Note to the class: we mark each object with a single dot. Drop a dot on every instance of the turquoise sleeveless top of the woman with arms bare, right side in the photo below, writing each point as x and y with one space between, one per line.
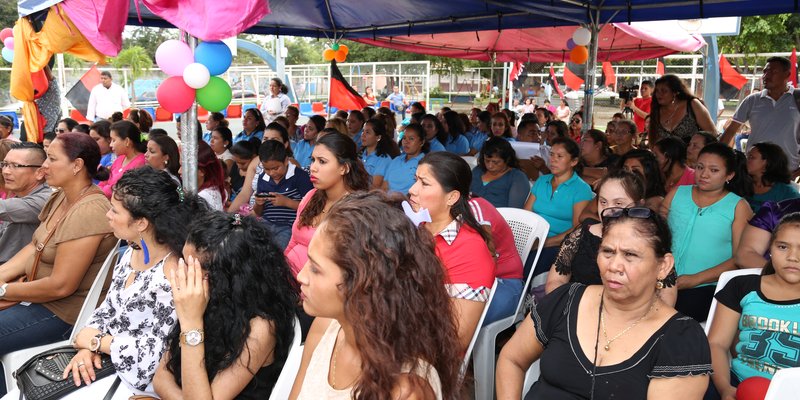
701 237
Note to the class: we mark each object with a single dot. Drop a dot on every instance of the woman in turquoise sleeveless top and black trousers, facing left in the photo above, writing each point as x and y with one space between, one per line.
707 220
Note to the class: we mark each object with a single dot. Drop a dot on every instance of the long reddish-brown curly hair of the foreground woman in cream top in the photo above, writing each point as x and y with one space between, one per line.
387 254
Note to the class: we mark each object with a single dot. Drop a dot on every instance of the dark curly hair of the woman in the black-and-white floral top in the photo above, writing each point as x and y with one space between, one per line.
153 195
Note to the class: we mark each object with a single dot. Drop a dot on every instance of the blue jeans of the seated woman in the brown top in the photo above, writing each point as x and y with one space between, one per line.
22 327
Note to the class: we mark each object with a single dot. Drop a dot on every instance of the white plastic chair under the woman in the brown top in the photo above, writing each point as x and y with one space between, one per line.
14 360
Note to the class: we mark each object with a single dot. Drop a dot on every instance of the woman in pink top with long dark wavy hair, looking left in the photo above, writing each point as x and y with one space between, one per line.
335 172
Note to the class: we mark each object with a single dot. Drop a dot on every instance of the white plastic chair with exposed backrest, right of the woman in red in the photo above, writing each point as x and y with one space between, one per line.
527 228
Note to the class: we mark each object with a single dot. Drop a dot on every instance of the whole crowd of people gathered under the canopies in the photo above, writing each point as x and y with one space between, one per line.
384 243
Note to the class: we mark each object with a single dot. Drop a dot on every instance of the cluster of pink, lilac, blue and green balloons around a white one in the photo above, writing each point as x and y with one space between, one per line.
193 76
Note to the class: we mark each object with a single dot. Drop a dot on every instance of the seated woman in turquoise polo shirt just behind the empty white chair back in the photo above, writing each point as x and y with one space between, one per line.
559 198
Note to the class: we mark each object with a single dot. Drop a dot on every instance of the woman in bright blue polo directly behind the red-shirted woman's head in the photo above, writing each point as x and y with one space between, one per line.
400 172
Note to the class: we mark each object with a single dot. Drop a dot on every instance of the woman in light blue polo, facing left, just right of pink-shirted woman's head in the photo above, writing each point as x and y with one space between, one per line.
377 150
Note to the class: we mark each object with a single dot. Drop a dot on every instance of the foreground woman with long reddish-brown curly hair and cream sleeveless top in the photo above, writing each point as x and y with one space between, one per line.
407 348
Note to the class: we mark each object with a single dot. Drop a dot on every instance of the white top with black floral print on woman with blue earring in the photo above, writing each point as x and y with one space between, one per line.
139 318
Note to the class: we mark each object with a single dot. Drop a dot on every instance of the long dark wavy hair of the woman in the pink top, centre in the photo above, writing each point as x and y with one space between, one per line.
356 178
